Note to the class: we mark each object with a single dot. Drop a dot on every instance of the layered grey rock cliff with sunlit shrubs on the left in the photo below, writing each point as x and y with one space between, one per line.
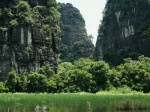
29 35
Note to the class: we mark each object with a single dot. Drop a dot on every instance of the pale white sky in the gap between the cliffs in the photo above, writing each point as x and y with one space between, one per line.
91 11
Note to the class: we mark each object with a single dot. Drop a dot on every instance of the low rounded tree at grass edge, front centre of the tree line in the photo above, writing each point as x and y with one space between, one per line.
81 80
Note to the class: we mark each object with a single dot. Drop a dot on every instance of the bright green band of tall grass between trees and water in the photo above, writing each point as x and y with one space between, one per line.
93 102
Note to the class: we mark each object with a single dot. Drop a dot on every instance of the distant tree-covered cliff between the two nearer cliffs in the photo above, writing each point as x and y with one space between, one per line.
75 43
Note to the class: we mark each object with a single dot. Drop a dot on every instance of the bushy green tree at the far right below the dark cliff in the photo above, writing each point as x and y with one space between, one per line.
136 74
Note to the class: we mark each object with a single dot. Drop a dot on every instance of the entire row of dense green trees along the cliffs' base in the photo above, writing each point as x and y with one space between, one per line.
83 75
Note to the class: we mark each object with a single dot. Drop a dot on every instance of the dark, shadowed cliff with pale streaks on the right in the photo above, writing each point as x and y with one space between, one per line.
124 31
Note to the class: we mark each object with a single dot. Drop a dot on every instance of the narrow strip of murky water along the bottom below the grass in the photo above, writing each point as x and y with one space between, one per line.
63 109
